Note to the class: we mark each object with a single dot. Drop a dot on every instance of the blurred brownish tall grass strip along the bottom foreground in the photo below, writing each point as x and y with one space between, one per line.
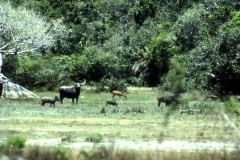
113 152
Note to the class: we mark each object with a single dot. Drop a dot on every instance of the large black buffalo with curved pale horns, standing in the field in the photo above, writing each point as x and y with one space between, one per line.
71 91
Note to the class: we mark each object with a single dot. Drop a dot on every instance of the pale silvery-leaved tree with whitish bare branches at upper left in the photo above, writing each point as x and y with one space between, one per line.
23 31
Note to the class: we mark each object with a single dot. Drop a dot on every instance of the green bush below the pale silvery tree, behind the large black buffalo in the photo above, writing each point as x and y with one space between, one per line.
39 72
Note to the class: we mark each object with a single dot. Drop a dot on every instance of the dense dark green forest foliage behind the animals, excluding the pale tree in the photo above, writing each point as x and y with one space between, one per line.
133 42
